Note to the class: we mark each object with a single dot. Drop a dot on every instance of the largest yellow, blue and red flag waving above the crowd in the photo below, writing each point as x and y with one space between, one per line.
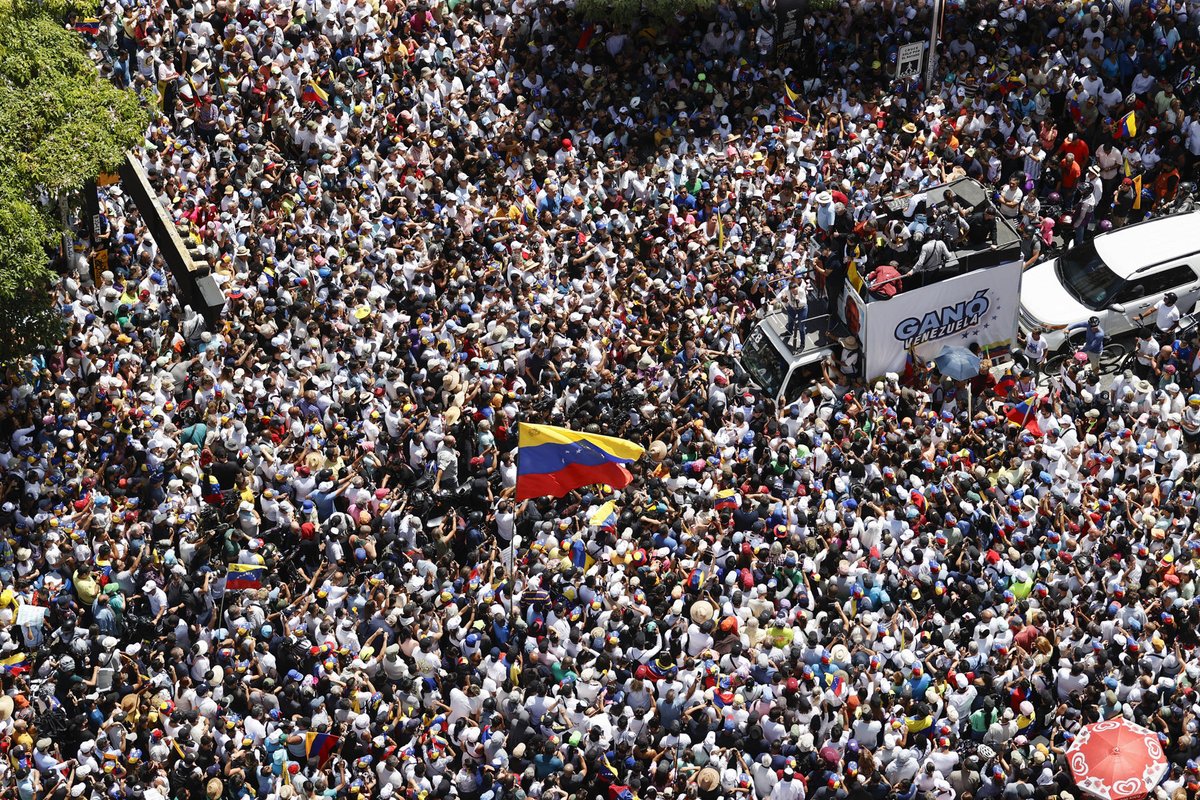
555 461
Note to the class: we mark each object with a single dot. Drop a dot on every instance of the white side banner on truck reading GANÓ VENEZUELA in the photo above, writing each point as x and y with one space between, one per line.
977 308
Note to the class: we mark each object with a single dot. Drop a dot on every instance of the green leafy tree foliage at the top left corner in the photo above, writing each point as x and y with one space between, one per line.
61 127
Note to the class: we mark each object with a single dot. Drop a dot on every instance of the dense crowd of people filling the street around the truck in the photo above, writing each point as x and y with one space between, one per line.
280 556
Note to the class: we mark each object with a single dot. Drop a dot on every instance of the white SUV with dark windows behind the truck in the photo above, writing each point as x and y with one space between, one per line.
1117 276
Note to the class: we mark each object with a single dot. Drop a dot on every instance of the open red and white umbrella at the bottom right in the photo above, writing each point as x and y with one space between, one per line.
1117 760
